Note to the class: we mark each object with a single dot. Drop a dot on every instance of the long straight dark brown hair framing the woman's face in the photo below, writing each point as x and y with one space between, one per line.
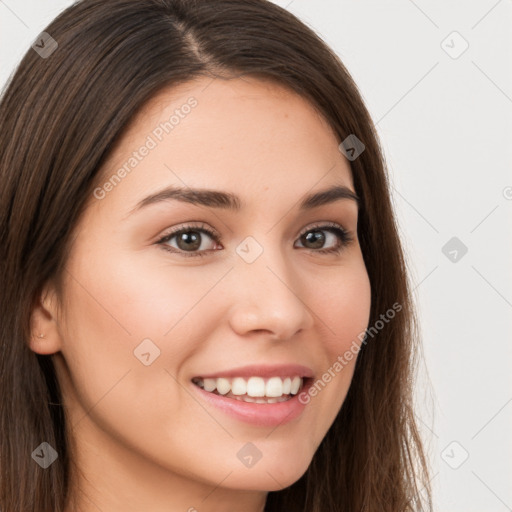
60 117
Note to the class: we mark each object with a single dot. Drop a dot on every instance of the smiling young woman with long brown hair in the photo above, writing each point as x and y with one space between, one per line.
205 303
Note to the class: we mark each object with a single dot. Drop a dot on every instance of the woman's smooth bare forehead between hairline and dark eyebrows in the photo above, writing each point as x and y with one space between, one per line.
242 134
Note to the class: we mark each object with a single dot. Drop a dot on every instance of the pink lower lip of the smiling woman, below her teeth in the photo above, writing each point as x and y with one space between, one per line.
263 415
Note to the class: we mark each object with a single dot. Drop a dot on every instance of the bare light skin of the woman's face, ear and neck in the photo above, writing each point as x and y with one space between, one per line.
142 441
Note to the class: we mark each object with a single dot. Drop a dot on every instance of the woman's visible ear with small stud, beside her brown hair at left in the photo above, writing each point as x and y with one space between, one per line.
44 333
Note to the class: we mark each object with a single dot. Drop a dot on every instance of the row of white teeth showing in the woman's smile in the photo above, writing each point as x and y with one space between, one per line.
254 388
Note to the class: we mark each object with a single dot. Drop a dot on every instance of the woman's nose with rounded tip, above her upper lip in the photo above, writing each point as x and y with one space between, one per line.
269 298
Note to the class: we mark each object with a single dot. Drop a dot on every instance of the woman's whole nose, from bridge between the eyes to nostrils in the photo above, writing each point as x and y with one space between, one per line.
267 296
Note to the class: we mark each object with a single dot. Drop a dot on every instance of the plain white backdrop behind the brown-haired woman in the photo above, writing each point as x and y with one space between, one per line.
445 125
